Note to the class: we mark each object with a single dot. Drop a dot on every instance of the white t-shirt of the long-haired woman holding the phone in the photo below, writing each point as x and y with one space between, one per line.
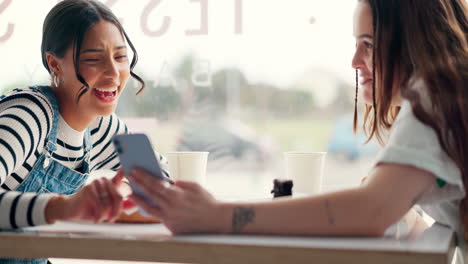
415 144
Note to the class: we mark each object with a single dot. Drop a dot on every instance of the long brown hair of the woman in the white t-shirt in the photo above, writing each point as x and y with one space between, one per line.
426 39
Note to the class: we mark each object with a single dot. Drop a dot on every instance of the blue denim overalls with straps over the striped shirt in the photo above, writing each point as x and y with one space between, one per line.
49 176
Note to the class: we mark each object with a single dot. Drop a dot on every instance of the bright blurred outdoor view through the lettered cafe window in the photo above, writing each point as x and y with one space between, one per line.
245 80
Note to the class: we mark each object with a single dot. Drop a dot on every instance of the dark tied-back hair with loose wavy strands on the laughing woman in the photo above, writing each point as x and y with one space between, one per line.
66 25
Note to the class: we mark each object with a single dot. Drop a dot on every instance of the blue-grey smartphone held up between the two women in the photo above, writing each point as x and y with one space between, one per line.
135 151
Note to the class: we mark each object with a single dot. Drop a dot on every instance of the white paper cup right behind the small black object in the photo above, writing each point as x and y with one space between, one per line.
305 169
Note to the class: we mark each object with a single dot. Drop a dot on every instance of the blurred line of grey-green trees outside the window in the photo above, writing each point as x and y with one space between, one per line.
230 93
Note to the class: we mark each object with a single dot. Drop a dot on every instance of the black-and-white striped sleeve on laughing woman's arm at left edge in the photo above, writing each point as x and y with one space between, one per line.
25 120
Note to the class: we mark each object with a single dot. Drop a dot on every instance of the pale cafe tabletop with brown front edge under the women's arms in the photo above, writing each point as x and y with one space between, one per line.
155 243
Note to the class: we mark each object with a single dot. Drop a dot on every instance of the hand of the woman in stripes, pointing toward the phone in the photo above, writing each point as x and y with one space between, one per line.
96 202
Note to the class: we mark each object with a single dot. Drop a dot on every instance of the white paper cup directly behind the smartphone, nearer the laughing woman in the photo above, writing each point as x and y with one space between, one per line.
188 166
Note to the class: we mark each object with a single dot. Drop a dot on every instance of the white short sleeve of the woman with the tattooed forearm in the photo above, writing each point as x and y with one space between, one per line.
415 144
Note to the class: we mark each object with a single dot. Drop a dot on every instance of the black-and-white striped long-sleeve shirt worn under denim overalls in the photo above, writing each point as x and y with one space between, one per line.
26 118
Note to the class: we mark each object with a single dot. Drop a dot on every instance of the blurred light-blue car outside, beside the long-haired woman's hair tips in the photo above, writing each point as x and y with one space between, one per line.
345 143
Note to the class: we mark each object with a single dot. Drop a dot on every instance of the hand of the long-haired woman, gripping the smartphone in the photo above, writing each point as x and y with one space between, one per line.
184 207
